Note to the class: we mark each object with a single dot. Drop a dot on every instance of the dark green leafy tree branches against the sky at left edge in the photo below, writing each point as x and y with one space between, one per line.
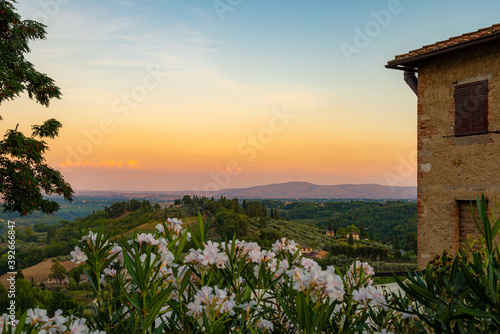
25 175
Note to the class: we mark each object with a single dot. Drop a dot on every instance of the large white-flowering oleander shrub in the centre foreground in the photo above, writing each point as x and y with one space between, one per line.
224 287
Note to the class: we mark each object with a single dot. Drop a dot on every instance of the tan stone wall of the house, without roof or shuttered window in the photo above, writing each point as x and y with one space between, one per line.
454 168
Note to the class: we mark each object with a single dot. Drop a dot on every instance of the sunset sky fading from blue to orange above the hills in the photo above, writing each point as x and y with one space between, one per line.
174 95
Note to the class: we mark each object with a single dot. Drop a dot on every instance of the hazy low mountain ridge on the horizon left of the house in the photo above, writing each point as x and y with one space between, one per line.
310 190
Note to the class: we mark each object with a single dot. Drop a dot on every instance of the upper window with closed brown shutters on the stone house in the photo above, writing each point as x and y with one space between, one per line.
471 108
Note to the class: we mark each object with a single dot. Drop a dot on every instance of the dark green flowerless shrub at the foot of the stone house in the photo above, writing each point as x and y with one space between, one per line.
459 293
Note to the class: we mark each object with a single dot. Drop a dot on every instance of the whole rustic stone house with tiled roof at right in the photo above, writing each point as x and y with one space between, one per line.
458 89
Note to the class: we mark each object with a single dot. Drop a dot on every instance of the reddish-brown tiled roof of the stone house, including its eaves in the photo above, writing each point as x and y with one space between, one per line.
466 40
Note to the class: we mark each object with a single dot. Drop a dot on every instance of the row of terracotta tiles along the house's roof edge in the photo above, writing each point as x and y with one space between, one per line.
449 43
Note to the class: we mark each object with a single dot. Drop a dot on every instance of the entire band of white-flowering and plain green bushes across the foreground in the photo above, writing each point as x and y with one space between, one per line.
148 285
